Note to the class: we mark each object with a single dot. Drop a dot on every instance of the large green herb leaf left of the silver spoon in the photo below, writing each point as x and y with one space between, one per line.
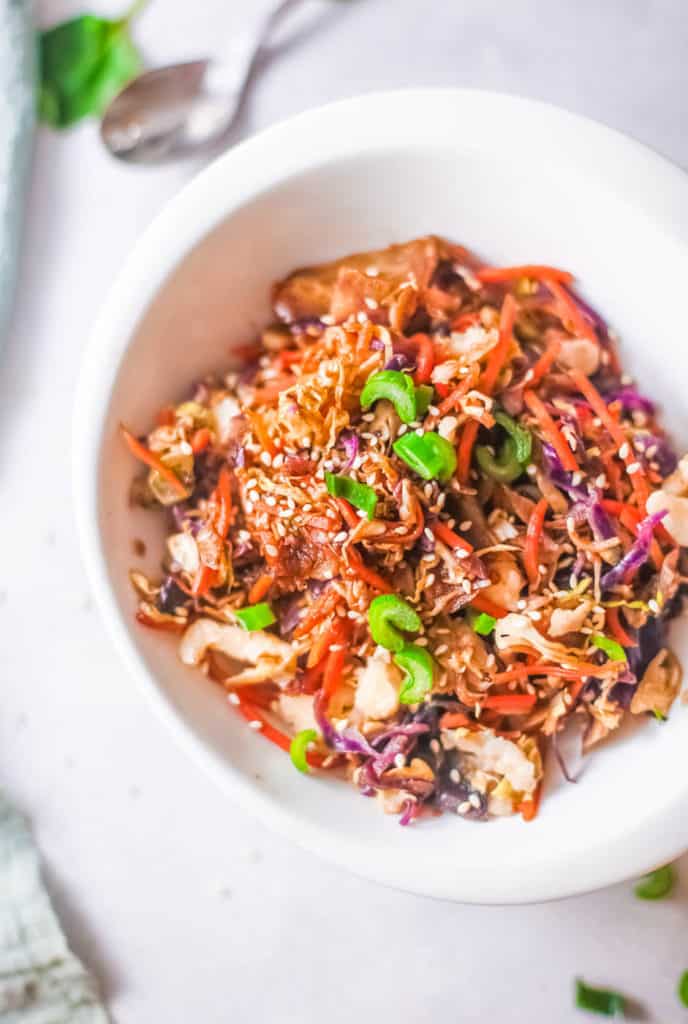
84 64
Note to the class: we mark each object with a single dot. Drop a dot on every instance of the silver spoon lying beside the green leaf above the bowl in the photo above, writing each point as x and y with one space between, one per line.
185 109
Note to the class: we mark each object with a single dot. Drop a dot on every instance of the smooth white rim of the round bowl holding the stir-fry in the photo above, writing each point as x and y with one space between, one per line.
231 181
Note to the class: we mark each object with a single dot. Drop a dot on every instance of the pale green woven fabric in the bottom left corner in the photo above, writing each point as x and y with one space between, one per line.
41 983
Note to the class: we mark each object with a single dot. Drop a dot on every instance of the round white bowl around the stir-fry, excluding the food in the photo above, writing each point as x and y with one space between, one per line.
517 181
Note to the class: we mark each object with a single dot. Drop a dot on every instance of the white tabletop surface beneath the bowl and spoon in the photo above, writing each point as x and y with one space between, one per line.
187 909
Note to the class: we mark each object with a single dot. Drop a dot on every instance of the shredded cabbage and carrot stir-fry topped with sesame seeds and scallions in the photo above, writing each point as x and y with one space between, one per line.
427 529
